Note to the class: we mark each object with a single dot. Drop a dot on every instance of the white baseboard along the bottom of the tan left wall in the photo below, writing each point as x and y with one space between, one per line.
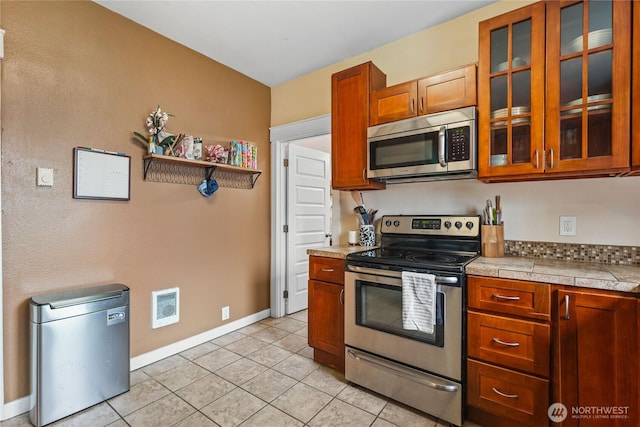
21 405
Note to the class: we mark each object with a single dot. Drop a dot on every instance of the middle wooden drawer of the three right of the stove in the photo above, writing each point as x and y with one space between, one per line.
517 344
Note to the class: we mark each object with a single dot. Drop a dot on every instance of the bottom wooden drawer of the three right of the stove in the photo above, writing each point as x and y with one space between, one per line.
508 394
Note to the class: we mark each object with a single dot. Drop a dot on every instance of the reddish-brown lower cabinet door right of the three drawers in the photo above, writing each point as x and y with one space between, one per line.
595 374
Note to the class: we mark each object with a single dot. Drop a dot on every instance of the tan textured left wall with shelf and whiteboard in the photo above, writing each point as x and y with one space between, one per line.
74 74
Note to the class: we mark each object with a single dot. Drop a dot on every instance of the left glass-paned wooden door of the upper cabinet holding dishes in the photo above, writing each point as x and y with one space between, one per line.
511 93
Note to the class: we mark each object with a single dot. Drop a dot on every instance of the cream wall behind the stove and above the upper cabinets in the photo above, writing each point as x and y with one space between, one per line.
607 210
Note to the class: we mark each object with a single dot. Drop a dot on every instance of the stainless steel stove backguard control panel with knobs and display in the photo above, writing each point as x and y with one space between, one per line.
443 225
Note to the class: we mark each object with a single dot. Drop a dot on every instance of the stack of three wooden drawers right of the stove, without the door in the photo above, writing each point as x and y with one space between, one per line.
508 347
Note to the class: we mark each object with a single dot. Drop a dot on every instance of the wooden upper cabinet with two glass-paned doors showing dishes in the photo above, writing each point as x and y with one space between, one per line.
572 121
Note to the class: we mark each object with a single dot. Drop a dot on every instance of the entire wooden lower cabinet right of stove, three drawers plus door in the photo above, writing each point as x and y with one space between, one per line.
531 346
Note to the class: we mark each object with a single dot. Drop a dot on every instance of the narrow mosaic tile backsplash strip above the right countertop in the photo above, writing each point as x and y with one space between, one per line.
606 254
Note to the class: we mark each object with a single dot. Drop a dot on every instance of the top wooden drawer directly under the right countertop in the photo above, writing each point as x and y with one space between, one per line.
514 297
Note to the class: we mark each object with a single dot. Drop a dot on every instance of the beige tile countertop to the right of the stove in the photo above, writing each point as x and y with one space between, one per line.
624 278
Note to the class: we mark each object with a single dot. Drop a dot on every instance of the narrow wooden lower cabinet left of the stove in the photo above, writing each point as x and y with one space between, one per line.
326 310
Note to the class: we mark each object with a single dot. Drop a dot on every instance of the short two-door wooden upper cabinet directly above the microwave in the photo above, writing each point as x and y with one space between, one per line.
444 91
